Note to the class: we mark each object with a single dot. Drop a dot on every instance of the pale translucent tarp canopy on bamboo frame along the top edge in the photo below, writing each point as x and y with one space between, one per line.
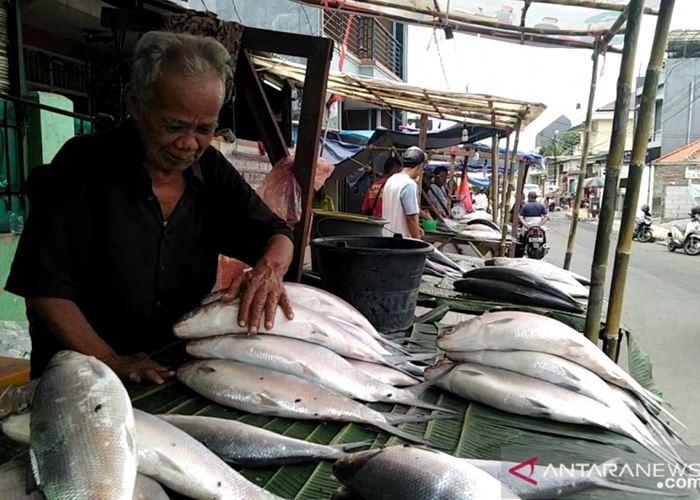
569 23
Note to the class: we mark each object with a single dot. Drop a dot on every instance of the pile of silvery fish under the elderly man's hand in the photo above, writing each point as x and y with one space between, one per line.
302 369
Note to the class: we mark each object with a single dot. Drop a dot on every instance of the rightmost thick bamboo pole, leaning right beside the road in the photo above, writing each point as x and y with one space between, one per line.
634 180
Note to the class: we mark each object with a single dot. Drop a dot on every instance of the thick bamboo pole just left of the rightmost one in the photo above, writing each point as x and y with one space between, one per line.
612 173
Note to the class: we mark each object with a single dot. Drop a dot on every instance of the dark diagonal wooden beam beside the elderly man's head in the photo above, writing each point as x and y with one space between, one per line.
251 92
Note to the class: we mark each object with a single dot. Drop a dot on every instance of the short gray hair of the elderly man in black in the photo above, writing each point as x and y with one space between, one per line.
193 55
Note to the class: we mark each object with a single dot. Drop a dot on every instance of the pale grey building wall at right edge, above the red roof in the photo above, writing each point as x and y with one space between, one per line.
681 103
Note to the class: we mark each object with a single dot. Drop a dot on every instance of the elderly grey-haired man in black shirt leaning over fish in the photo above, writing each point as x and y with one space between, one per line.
127 238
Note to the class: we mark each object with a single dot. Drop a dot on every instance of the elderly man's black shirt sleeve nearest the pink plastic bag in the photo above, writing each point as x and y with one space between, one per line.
247 222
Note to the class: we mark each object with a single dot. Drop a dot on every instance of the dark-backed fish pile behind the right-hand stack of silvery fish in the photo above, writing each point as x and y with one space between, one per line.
516 285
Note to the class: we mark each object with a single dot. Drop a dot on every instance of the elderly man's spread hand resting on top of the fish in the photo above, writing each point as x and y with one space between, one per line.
261 290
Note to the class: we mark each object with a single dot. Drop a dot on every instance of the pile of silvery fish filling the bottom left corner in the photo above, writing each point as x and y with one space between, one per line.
86 441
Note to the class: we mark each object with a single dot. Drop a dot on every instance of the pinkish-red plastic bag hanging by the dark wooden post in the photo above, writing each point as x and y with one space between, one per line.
281 191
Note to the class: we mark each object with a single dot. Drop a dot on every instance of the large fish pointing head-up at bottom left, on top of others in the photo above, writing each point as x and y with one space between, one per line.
82 442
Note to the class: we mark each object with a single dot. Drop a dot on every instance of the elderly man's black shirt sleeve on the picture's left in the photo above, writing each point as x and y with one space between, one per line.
55 238
